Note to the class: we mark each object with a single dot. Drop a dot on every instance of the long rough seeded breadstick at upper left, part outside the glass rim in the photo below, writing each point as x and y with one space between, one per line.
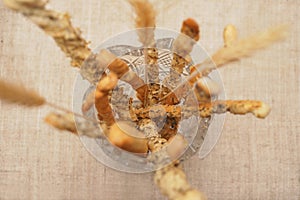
56 24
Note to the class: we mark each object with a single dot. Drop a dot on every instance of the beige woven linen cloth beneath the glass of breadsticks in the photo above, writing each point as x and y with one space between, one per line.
254 159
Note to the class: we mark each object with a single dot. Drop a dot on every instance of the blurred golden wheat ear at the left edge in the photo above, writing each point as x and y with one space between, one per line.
15 93
